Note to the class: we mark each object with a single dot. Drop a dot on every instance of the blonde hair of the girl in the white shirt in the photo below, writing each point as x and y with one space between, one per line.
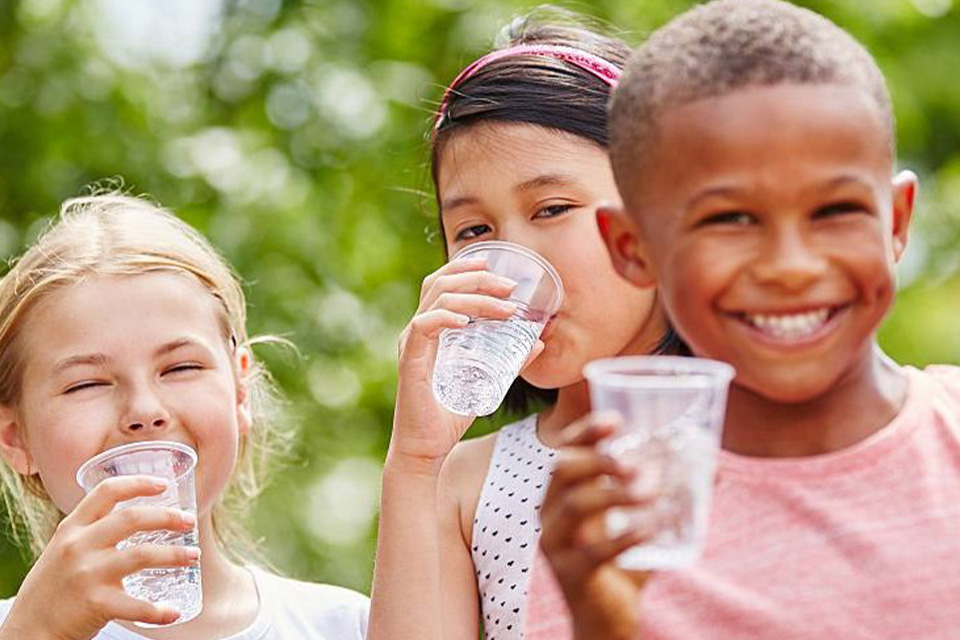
115 234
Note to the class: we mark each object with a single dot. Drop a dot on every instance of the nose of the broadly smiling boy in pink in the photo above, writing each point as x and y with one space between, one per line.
790 261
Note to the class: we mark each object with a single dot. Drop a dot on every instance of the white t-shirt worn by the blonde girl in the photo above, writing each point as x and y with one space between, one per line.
289 610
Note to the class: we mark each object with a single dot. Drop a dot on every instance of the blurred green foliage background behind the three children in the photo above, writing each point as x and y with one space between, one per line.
292 133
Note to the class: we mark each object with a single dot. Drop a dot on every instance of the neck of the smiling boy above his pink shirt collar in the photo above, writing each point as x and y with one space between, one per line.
861 403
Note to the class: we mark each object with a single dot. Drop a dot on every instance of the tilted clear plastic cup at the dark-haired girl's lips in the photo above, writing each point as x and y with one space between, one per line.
476 365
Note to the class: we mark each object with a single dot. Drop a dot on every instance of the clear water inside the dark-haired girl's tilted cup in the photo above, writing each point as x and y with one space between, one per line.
477 364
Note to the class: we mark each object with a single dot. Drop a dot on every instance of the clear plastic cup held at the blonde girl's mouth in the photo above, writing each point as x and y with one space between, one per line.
178 588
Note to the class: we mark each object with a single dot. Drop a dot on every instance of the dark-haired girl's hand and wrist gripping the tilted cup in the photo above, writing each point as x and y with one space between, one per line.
423 431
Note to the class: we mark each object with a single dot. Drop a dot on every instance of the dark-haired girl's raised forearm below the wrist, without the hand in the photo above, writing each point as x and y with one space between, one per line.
406 585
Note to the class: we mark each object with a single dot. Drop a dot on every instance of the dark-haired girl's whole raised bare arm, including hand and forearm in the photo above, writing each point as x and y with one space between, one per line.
407 588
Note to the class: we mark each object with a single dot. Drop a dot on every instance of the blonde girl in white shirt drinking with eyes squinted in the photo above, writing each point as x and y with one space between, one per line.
122 324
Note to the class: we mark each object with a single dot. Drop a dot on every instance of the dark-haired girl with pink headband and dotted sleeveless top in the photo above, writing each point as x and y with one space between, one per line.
519 154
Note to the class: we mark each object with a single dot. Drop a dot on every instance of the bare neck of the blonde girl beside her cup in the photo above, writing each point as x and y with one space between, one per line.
230 600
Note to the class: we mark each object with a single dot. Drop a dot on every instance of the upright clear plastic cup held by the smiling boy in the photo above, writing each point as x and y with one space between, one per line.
673 411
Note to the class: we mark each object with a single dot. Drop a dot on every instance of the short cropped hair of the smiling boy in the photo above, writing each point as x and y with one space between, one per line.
720 47
